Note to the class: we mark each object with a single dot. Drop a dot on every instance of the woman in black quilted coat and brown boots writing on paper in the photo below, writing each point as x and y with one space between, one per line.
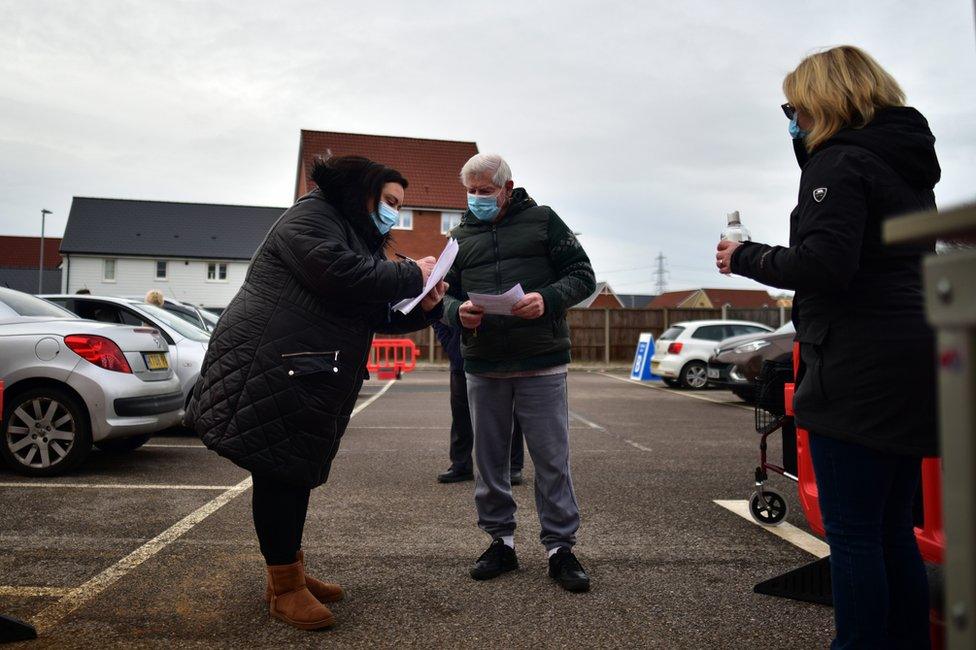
287 359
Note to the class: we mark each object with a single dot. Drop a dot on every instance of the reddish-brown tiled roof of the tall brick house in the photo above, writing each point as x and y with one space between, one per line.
431 167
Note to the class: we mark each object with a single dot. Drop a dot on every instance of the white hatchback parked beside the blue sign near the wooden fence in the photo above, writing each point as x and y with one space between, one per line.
682 351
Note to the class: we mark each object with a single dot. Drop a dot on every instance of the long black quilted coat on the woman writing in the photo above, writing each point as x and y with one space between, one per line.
287 358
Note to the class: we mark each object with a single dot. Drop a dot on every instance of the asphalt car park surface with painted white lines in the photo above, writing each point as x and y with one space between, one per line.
156 548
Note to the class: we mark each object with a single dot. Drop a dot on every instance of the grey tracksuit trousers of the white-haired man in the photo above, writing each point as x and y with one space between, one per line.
542 407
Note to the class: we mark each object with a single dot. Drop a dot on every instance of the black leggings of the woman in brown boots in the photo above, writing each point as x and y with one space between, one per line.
279 518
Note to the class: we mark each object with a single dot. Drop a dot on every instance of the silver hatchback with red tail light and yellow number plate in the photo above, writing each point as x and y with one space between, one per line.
70 383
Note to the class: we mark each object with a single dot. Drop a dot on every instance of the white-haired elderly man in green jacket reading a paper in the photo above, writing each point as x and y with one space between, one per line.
517 363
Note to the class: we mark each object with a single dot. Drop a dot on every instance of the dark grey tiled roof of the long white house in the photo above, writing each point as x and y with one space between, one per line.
166 229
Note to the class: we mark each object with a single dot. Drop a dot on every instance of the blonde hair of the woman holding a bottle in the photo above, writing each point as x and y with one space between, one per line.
840 87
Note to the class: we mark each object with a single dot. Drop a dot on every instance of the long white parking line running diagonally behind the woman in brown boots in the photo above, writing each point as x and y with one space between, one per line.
52 614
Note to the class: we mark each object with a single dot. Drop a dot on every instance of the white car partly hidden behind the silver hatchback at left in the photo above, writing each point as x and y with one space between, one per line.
187 344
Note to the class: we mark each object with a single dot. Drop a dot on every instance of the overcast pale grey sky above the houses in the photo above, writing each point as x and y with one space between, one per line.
640 123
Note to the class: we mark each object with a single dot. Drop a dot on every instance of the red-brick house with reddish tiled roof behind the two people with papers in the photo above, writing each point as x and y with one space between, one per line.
433 203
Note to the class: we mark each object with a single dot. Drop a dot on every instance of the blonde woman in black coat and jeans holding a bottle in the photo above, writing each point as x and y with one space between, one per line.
866 392
